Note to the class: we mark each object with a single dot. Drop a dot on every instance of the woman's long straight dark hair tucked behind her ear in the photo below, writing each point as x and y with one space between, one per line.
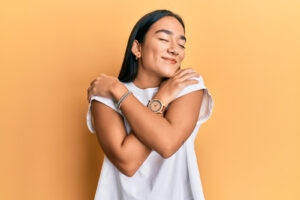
130 64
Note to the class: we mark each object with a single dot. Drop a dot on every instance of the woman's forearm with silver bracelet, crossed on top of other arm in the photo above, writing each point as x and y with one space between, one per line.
151 128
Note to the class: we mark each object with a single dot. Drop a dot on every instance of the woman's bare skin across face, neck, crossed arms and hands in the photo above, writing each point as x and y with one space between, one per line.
163 133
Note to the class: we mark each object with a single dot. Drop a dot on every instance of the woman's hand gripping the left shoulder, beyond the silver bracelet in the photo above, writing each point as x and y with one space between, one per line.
102 86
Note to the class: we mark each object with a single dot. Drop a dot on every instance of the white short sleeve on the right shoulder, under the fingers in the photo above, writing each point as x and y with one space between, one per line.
207 101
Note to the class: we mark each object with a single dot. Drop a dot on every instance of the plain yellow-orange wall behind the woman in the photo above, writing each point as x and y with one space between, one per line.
248 52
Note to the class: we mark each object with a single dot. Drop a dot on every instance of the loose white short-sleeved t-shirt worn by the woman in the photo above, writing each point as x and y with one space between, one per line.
174 178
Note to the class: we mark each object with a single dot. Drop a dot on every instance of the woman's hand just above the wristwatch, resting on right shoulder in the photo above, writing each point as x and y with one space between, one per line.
170 88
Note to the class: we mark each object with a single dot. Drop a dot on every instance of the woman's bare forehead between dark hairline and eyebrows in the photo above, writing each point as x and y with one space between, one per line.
169 23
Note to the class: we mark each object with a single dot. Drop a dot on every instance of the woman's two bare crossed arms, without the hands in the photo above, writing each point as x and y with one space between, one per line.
150 131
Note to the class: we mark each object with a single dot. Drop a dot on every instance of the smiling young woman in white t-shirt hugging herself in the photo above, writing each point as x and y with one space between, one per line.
146 120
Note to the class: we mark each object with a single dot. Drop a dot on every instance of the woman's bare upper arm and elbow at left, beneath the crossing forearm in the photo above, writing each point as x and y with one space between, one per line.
126 152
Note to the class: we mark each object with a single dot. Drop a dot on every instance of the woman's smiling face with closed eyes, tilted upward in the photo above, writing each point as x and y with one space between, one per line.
163 48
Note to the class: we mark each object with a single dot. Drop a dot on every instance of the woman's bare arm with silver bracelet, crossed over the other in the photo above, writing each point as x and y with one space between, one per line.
162 134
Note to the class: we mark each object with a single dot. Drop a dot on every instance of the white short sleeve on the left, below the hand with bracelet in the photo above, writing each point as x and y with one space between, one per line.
107 101
